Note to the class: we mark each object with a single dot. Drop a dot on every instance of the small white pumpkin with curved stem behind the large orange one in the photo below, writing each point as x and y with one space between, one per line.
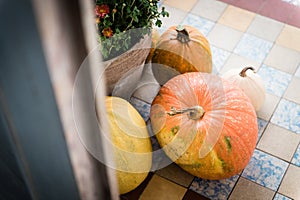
250 82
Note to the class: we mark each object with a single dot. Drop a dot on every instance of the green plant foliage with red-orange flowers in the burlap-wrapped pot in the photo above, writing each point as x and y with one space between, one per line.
115 20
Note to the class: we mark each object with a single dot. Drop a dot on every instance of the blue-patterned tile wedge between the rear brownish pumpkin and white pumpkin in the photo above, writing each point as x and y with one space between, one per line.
219 57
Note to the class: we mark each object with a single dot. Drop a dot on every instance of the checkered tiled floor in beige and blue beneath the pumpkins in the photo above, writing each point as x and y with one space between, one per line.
266 35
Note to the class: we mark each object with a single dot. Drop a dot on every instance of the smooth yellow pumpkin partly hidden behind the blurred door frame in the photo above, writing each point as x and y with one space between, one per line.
131 143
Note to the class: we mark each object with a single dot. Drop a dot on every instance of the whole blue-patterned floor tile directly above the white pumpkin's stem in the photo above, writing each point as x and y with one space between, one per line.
253 48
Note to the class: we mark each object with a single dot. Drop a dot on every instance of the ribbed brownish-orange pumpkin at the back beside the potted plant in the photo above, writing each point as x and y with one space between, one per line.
183 48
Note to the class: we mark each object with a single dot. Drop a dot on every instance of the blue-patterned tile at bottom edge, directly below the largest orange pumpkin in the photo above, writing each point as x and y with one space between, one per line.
215 190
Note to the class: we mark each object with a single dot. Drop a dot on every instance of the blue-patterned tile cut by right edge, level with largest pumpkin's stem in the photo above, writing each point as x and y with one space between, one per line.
287 115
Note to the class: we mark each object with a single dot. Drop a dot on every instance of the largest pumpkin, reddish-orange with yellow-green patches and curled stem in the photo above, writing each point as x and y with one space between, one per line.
205 124
